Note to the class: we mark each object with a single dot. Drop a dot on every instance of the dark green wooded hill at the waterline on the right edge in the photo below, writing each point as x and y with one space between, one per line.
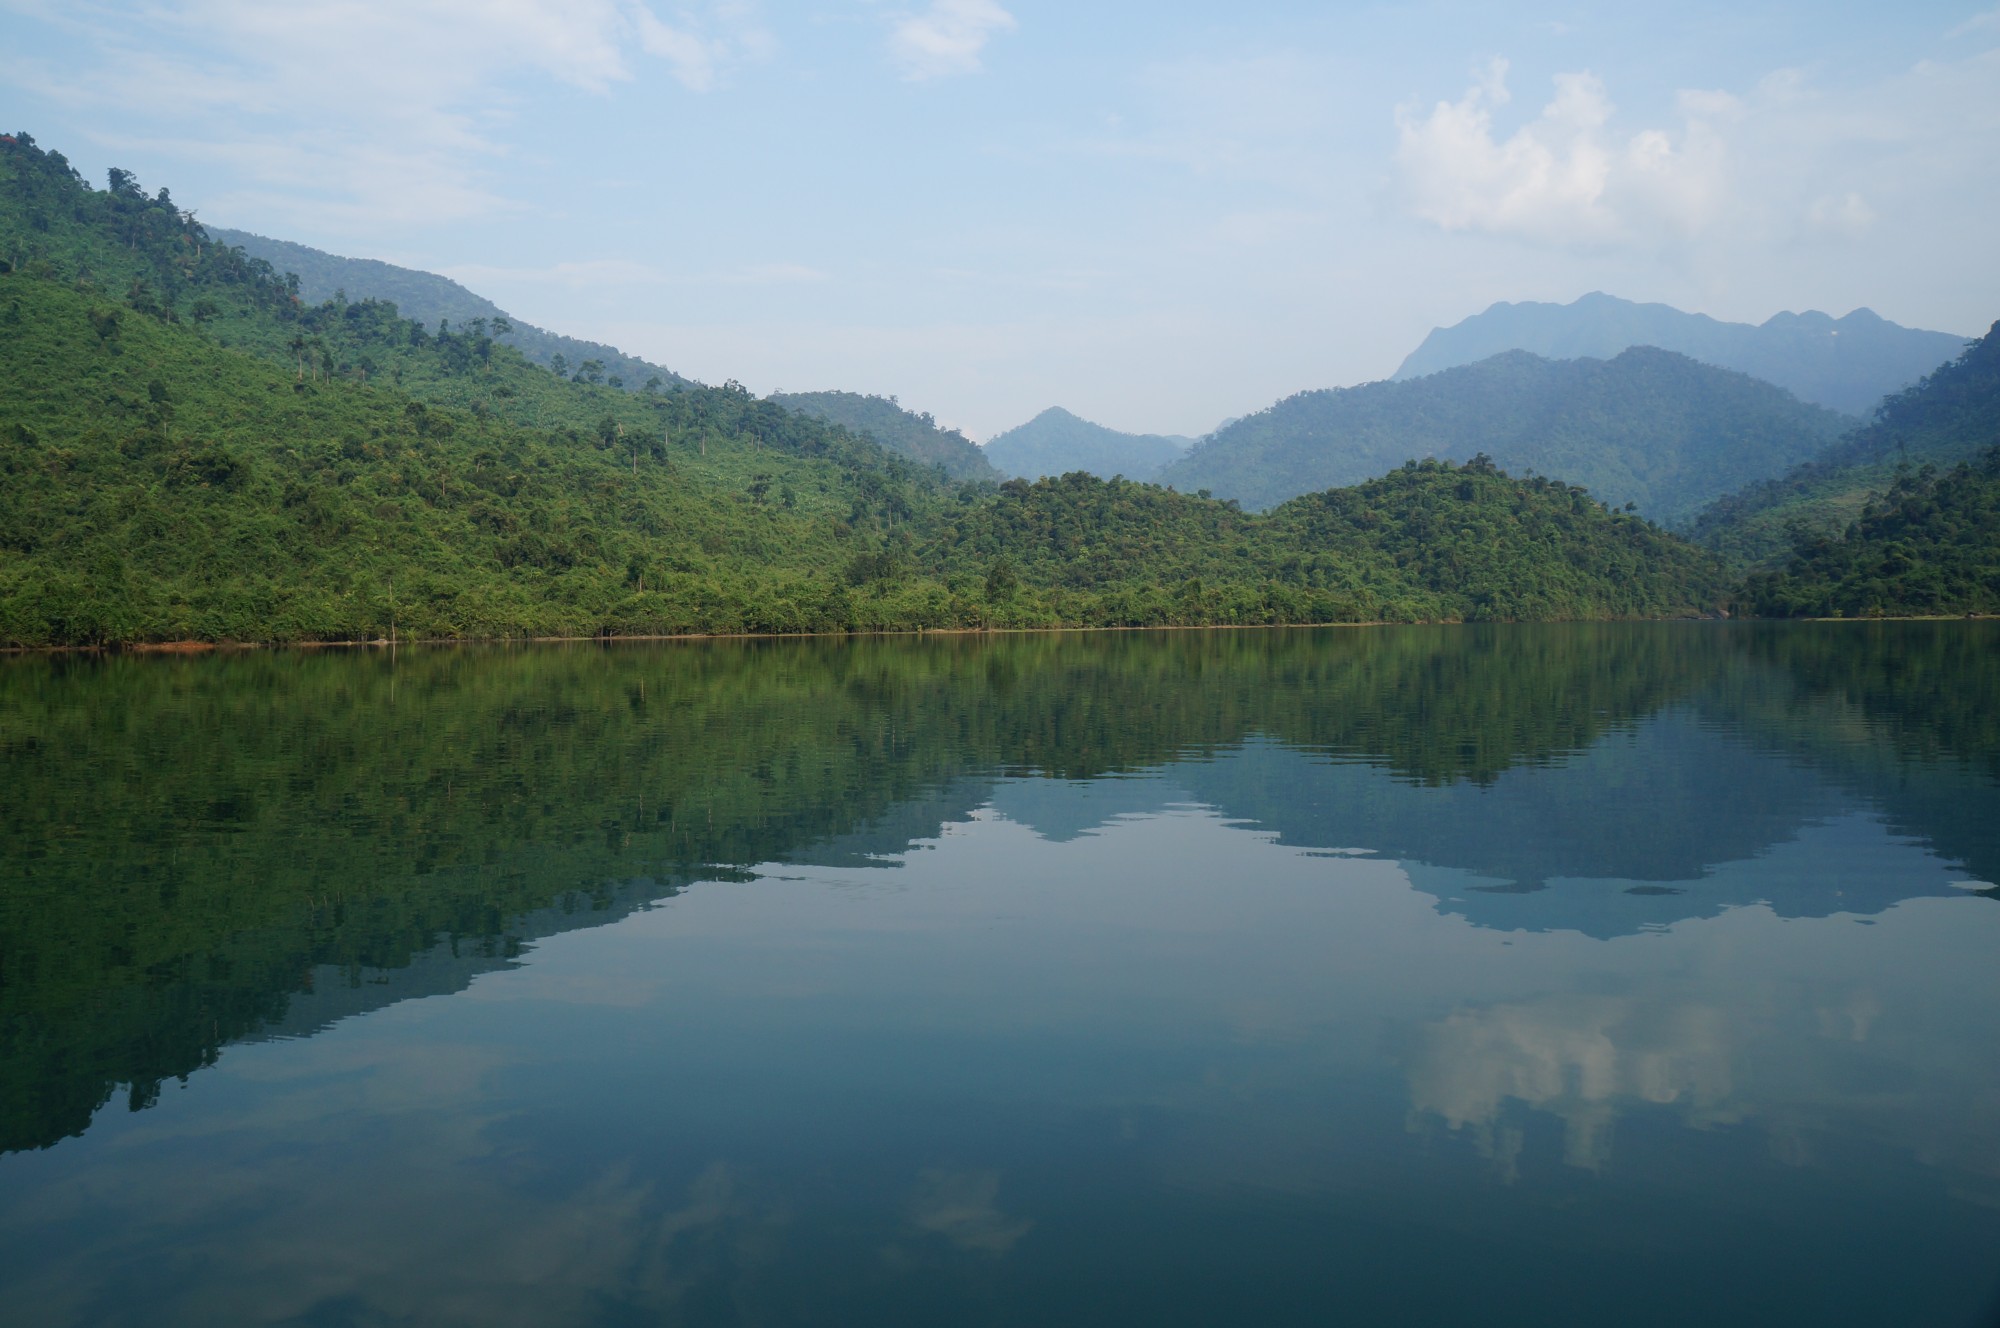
1931 545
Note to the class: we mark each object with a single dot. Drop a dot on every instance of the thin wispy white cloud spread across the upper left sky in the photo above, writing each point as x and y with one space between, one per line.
377 111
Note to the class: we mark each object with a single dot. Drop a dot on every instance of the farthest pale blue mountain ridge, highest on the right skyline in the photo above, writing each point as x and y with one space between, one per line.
1841 363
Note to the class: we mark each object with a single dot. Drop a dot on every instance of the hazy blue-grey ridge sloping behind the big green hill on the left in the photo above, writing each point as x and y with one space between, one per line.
433 299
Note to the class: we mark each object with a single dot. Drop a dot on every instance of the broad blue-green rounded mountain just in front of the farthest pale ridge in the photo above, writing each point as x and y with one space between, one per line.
1651 427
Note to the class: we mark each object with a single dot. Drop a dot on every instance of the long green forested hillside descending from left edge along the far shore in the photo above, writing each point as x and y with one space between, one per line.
191 451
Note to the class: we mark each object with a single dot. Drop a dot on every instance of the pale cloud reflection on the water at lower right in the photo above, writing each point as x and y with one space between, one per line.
1813 1041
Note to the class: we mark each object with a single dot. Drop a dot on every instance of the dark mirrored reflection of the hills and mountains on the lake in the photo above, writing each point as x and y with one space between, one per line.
209 851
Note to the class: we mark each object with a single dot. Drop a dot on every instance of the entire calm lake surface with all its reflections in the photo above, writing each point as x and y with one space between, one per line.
1635 975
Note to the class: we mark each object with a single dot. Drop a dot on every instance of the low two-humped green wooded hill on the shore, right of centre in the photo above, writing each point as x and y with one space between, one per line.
1431 541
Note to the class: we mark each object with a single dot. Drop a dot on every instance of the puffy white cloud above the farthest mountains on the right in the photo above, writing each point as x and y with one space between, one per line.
1565 177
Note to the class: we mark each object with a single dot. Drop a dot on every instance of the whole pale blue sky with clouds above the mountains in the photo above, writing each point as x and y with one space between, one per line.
1155 215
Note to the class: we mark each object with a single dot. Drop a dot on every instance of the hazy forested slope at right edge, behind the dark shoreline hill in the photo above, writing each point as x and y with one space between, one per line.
1951 417
